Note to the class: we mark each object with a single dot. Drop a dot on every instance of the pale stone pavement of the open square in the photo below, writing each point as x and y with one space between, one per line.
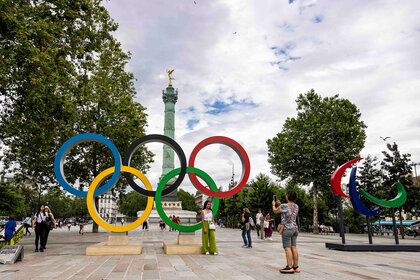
65 259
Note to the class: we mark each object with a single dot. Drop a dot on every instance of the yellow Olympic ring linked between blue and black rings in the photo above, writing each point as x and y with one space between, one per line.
92 208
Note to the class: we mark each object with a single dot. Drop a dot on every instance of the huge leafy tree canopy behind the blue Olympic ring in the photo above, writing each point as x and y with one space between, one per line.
62 73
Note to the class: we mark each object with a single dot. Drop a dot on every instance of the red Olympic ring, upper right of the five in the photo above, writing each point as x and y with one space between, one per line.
246 167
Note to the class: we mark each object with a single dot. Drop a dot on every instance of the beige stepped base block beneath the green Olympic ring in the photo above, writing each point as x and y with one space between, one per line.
186 245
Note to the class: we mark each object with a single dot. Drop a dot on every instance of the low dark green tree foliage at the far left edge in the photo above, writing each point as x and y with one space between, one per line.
12 201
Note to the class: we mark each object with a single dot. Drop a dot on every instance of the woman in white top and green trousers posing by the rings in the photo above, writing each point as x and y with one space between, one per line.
208 238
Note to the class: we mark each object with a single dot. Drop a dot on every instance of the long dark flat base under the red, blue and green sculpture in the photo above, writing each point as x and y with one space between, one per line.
374 247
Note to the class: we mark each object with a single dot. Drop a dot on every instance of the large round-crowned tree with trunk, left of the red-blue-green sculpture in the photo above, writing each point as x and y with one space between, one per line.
327 132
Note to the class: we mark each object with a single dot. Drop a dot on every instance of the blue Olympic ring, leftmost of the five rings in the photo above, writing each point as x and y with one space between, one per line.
68 145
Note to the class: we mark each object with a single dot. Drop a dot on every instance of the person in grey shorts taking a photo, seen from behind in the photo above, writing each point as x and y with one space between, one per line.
289 213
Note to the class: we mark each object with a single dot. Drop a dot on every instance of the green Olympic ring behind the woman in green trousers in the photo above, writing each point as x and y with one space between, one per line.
158 200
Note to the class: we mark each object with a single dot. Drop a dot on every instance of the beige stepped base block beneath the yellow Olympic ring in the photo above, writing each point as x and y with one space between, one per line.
116 245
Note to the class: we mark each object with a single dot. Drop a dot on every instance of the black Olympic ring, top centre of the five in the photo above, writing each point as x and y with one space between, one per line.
155 138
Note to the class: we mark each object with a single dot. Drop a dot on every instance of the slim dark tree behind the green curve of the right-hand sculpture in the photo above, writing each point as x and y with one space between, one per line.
396 167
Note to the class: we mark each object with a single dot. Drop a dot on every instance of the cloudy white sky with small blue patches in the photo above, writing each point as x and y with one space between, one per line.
240 64
